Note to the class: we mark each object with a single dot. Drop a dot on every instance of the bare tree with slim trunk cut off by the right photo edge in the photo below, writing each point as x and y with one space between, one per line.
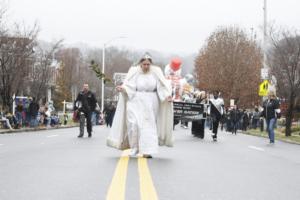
284 60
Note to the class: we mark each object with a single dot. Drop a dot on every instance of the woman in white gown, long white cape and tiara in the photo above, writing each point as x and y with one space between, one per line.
144 114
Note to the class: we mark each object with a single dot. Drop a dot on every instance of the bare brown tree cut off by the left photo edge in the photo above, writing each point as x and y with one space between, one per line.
16 56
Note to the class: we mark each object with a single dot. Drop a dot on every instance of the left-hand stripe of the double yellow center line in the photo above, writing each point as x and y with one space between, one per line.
117 187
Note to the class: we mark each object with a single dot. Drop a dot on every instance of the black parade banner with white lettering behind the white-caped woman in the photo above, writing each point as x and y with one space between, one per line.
189 111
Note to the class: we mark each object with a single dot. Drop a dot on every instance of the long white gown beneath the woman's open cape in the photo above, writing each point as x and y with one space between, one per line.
141 115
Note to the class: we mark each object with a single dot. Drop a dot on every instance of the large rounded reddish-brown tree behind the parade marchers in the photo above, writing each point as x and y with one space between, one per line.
230 62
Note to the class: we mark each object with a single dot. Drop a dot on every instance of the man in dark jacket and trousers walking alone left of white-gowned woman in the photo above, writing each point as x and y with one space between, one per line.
85 104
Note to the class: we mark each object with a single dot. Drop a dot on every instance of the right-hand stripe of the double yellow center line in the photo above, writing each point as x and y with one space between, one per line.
147 189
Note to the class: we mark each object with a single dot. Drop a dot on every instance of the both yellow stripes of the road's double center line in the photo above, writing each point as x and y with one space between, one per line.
117 187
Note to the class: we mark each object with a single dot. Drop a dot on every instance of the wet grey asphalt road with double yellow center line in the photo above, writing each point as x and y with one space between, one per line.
56 165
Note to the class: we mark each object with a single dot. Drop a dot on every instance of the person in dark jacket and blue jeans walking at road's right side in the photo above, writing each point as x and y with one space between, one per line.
271 112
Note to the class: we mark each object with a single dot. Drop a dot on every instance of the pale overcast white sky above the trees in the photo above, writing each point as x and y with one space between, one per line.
170 26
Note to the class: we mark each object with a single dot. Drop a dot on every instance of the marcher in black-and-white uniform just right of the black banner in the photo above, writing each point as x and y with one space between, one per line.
216 110
